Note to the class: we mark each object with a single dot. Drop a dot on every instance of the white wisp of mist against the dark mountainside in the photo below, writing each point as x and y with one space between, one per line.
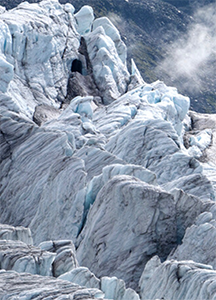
191 59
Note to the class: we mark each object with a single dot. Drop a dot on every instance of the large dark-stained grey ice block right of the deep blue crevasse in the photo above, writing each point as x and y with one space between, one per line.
126 197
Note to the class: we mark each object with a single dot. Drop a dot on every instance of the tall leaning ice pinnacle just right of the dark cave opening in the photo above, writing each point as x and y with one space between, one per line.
111 75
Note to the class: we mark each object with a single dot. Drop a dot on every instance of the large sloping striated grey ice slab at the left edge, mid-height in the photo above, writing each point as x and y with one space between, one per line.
44 175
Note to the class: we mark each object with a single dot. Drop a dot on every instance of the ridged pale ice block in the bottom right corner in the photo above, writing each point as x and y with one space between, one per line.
178 280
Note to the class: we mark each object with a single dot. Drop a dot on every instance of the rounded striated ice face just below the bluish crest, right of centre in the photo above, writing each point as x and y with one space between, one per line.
152 140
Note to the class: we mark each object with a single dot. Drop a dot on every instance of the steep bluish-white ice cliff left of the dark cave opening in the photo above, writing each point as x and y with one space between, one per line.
40 42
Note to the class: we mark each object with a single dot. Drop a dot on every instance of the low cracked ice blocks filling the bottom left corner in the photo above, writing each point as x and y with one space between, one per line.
19 261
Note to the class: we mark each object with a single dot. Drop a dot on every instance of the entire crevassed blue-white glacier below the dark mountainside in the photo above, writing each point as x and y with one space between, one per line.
107 182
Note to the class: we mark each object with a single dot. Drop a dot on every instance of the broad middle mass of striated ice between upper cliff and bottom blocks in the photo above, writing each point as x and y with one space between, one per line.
61 169
